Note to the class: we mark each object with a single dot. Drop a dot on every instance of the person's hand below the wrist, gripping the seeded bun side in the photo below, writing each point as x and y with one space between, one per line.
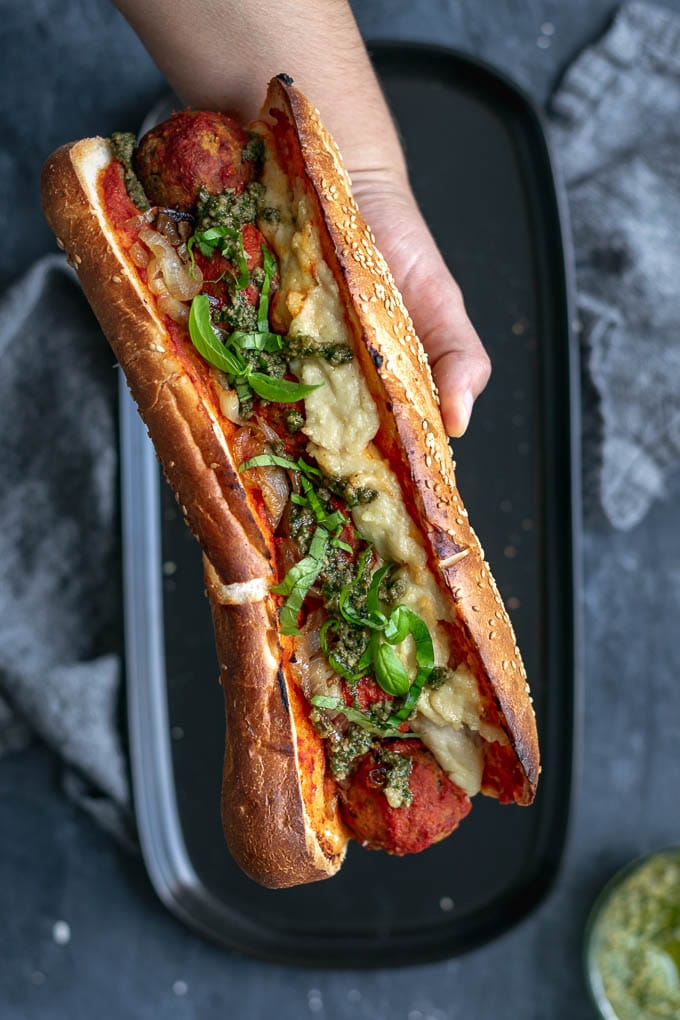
460 365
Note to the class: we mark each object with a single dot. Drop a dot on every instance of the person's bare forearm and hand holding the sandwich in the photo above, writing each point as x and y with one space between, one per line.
217 55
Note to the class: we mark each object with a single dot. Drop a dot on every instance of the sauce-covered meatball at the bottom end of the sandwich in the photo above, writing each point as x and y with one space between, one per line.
437 808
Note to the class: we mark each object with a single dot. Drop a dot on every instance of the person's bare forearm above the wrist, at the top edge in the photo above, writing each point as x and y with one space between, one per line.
219 55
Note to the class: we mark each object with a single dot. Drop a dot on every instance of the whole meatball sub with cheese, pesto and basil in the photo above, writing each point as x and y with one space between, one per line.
373 683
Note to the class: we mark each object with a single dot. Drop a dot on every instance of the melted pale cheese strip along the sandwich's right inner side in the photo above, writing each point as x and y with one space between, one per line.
342 421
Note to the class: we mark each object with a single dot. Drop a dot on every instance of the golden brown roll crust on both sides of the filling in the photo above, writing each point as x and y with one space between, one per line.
281 819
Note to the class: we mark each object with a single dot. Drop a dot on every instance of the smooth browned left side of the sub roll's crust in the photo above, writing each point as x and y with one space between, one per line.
274 835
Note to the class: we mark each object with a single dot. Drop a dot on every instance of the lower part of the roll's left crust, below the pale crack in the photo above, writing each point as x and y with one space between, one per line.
279 837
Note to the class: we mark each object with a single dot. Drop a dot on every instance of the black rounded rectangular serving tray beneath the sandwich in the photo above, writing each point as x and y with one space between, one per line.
482 170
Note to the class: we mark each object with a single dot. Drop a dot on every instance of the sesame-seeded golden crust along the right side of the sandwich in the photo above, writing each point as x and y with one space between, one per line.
396 365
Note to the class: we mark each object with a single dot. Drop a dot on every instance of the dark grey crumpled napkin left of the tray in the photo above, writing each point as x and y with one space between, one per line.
60 588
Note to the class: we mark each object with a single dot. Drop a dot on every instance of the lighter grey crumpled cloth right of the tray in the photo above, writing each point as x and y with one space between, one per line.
617 134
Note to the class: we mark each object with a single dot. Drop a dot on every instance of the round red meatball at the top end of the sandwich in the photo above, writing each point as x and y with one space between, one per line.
192 150
